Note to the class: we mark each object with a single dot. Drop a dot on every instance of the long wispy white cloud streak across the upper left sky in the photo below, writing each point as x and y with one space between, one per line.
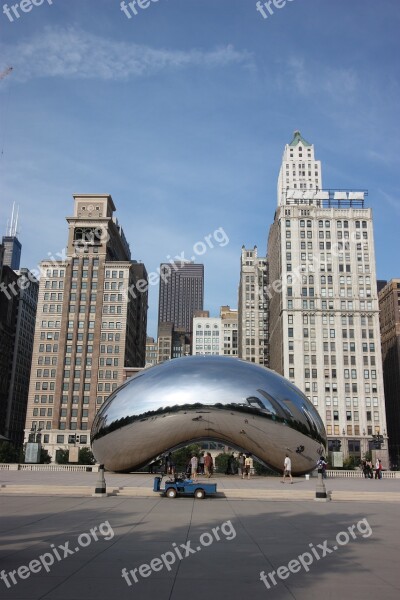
74 53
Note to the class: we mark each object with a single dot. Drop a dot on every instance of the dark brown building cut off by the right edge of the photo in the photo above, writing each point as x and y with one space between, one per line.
389 304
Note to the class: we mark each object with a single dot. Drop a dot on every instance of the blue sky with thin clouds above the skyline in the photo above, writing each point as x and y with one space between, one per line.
182 112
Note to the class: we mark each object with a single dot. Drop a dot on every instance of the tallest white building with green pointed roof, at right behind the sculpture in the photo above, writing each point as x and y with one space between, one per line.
324 313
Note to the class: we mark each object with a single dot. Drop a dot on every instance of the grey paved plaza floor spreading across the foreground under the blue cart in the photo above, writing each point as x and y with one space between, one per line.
75 547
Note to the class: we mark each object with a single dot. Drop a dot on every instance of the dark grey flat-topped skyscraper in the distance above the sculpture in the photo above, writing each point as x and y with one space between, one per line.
181 293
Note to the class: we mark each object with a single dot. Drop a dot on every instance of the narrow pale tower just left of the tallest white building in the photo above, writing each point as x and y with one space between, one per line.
253 307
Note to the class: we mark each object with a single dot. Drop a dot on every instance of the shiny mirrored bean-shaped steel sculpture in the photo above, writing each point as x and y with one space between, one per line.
218 398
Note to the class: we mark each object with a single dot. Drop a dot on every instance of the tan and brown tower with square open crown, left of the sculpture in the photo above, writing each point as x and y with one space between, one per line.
91 323
